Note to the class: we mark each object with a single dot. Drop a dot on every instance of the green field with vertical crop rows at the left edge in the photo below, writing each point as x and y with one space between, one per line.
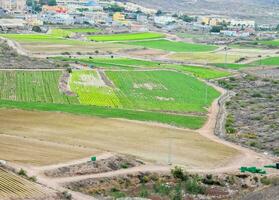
32 87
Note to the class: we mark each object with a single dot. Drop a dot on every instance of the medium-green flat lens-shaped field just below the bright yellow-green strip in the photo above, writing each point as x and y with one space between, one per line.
173 46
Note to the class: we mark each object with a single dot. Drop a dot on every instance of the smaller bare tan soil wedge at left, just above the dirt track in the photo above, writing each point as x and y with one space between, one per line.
34 152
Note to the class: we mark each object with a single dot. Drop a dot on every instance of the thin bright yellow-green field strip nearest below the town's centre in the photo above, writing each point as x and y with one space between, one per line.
126 36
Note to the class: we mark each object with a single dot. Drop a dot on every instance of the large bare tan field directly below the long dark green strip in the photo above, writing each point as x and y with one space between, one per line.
147 141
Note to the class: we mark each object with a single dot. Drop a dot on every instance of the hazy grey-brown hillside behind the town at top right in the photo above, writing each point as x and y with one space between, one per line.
264 11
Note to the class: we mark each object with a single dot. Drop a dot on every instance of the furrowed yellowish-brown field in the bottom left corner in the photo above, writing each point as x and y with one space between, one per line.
14 187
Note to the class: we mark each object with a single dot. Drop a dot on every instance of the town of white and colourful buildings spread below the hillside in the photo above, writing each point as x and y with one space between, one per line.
130 16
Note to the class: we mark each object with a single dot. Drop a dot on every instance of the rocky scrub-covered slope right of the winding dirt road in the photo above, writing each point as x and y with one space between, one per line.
252 113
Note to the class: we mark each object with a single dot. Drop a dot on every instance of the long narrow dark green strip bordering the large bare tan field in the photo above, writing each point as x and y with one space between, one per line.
192 122
